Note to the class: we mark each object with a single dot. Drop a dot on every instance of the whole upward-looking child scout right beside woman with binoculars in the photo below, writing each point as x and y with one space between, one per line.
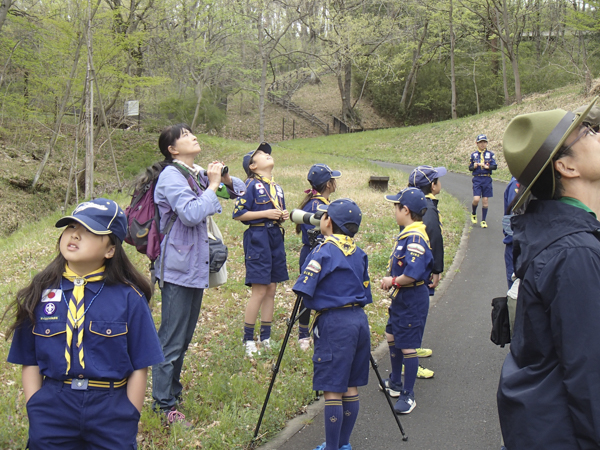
262 208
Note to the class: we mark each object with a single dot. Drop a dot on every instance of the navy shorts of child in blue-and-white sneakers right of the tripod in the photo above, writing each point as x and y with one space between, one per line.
408 315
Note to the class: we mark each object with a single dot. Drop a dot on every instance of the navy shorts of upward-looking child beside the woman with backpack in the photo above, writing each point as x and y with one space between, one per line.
264 250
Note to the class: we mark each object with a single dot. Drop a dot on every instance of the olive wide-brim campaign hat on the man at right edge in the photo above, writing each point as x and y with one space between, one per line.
531 141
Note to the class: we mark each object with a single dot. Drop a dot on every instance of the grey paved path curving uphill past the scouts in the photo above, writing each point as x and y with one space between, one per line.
457 408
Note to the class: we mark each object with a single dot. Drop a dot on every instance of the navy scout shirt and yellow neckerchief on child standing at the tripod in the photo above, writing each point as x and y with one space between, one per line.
335 274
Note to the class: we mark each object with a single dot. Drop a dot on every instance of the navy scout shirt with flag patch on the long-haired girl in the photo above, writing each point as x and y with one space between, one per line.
119 334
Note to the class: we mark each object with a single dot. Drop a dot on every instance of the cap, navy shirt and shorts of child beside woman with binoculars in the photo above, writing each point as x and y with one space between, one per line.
264 248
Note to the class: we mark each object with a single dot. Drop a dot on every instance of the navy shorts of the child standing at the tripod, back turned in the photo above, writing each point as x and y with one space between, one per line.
342 349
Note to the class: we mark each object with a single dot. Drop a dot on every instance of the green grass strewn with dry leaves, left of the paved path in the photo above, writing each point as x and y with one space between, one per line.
223 390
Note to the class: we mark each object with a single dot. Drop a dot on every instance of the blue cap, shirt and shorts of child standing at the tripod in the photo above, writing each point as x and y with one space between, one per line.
335 283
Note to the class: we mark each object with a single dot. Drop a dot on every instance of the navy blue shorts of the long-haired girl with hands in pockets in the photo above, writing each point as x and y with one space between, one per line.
61 418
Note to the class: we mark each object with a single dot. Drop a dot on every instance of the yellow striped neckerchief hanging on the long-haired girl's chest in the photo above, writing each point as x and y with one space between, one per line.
76 314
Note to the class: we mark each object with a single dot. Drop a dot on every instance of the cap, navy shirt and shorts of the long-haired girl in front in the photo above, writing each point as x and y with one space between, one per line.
119 337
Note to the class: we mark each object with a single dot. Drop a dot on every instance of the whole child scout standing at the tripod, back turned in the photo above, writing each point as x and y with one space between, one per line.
335 283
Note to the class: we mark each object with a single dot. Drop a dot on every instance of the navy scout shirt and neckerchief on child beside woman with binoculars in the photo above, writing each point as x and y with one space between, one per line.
258 197
